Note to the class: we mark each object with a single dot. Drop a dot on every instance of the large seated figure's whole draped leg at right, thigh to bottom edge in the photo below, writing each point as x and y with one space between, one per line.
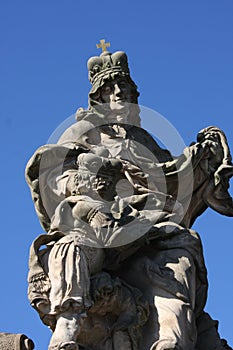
170 272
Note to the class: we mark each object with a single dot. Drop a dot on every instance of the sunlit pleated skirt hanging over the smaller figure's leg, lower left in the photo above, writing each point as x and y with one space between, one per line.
69 275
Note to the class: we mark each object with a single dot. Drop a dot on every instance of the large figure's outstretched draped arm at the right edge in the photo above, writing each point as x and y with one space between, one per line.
199 178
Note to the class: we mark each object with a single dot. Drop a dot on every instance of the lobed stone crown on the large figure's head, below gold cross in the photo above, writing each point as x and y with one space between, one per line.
101 67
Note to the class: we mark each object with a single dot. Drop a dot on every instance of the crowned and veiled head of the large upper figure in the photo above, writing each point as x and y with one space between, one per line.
113 91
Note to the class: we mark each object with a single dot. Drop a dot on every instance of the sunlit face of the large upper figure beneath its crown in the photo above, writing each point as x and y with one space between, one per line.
117 93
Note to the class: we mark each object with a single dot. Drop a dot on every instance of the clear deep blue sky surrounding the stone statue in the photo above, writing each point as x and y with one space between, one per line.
181 57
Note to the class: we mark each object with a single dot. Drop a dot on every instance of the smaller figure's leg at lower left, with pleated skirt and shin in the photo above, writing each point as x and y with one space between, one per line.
69 267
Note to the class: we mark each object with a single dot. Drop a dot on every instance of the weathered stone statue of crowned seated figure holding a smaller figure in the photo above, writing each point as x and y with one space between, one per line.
120 266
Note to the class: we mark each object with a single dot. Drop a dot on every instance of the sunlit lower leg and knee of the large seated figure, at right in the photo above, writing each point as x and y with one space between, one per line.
174 275
